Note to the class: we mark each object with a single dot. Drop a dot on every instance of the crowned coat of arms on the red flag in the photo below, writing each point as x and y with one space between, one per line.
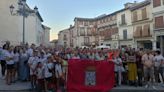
90 76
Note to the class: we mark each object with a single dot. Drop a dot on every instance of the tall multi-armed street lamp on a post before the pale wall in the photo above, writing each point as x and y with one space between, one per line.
22 11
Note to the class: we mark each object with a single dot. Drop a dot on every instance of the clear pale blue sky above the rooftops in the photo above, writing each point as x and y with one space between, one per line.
60 14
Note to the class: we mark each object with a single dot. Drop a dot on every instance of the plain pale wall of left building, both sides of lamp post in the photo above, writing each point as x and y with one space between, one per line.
11 27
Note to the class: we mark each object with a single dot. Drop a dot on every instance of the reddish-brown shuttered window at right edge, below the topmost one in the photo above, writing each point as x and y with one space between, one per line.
159 22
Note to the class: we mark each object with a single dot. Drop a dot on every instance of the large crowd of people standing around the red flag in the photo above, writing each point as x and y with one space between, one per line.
46 67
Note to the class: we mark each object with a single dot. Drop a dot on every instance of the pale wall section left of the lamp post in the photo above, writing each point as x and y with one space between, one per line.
9 25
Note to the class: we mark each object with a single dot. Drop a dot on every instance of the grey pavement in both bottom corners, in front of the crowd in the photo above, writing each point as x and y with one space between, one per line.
25 87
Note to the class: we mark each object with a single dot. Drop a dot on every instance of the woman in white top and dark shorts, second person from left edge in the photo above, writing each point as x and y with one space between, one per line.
10 65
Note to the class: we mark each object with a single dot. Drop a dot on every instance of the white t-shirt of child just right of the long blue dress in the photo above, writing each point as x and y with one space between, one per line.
33 61
